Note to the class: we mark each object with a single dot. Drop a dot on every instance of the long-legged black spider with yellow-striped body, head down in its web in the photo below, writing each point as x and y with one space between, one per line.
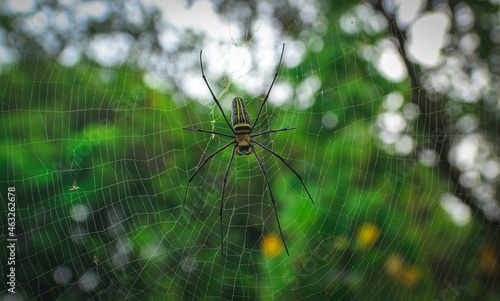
243 145
